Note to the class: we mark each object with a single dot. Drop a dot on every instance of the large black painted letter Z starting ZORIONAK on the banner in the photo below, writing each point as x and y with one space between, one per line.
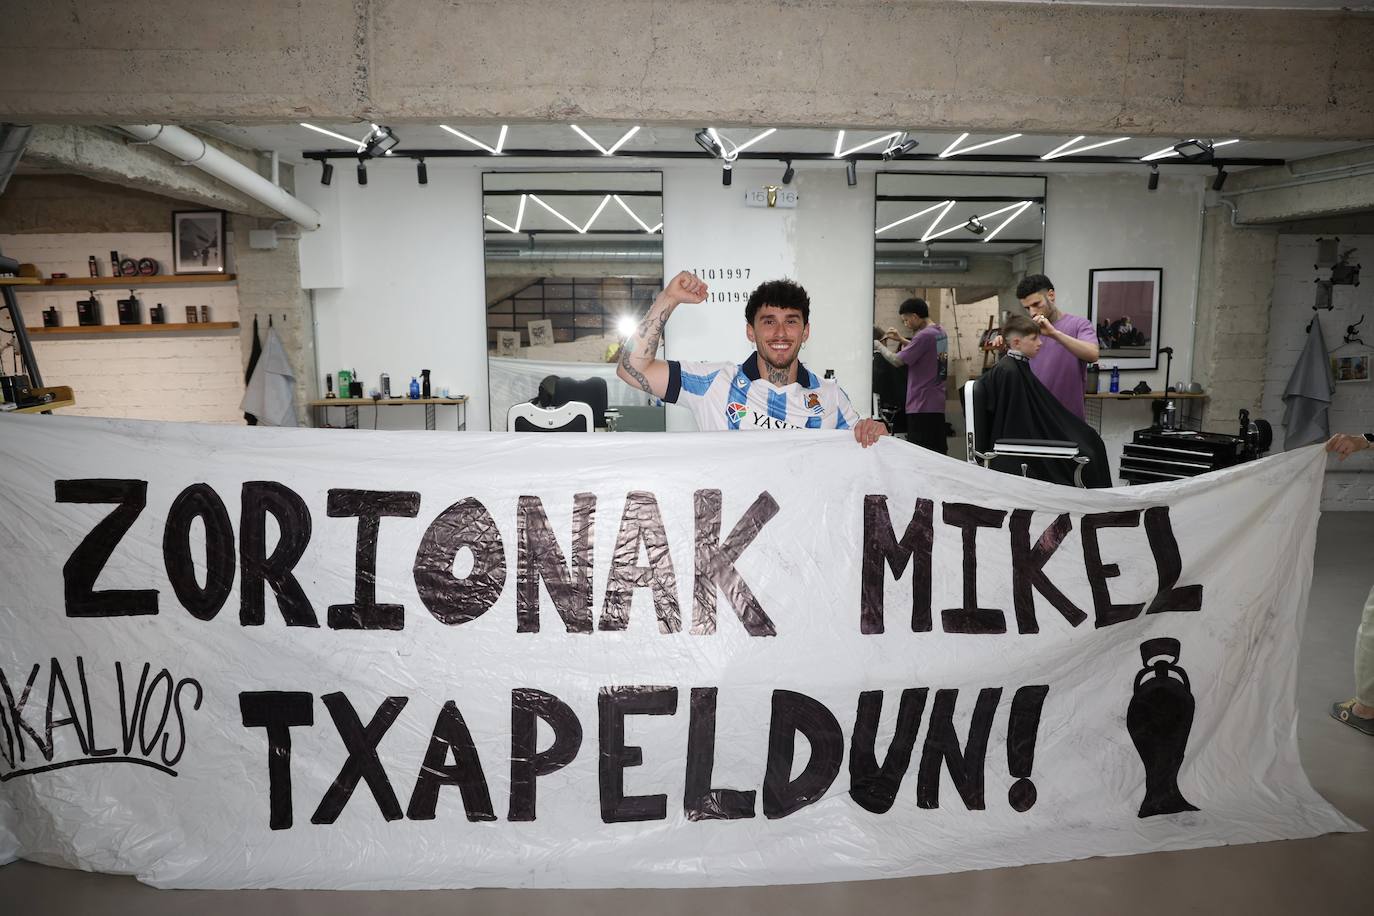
87 562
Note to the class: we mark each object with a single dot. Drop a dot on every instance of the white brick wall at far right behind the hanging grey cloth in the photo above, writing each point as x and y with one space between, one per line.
1350 485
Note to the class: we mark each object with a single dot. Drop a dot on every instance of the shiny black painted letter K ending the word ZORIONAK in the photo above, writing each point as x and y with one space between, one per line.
715 566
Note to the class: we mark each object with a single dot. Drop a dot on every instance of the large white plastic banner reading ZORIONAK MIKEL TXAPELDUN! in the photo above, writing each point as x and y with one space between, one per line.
308 659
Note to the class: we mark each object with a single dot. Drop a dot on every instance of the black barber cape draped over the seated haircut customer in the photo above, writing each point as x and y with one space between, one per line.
1013 404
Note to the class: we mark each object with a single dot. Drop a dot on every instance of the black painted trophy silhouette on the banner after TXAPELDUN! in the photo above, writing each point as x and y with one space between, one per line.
1159 720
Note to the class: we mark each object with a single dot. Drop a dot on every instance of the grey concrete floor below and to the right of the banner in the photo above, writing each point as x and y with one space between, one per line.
1322 875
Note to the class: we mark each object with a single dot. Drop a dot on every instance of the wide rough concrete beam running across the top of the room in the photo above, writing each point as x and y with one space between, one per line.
927 65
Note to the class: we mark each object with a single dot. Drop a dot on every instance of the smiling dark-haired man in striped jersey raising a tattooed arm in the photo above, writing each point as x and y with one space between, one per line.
770 391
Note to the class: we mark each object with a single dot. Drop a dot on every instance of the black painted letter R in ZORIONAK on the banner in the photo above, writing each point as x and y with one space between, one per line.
256 568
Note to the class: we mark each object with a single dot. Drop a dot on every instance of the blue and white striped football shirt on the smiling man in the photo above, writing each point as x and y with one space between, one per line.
723 396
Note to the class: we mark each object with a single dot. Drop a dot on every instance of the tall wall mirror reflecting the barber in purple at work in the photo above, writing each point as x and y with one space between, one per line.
961 242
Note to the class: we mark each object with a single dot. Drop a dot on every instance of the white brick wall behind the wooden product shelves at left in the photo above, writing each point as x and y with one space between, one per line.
193 377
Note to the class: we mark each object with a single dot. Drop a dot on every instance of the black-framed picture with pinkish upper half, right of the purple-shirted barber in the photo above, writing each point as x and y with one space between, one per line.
1125 307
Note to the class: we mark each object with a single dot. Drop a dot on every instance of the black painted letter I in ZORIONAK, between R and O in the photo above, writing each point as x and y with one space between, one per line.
370 507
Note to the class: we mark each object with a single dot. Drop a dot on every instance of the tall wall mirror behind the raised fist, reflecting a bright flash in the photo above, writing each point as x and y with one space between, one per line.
574 262
